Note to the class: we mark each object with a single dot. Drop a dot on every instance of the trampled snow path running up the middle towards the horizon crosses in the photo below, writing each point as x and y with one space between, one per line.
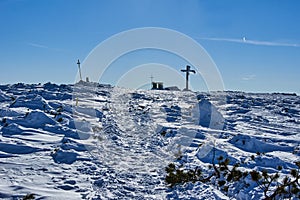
127 152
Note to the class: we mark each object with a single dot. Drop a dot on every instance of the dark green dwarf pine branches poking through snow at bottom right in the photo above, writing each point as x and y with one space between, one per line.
224 177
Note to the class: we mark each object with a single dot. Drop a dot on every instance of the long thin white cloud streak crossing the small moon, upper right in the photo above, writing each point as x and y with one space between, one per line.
253 42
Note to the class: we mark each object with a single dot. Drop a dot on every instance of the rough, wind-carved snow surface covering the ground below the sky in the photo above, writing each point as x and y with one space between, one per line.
91 141
